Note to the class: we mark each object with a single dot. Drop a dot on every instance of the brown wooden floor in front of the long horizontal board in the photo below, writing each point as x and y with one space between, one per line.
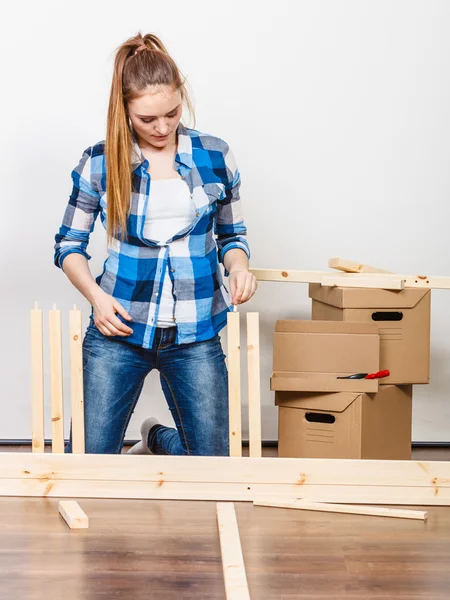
137 549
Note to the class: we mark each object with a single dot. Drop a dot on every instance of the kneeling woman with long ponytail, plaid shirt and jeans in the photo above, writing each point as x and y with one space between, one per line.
168 197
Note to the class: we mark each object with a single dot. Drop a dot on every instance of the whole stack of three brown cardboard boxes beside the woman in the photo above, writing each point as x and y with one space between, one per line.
353 330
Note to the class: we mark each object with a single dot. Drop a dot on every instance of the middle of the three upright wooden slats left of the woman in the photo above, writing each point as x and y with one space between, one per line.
56 380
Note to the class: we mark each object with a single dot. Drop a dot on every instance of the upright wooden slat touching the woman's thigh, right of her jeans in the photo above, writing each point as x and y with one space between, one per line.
234 383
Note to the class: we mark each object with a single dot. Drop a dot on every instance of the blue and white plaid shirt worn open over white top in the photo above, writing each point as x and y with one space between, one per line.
134 270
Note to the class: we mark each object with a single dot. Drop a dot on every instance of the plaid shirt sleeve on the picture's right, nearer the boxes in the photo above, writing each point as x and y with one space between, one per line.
229 225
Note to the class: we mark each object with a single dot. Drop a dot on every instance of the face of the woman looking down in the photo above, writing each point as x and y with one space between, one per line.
155 115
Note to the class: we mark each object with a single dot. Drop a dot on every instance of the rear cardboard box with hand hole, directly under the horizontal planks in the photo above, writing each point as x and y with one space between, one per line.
402 318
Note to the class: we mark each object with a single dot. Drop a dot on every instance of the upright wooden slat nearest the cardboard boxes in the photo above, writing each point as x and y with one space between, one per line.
254 386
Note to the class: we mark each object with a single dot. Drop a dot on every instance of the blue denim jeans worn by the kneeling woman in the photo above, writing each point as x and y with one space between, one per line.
194 381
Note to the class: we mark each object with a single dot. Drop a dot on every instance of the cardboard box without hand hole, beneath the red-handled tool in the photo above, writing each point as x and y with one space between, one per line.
310 355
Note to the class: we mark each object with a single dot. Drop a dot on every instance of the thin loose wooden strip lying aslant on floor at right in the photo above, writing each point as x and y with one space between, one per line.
352 509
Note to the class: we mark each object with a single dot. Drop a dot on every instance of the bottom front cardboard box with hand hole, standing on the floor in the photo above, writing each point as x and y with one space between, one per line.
346 425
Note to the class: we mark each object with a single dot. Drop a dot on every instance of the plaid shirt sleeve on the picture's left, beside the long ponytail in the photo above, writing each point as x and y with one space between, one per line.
80 215
